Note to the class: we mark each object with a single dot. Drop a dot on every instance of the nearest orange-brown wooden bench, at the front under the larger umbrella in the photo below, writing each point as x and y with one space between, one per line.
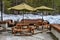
19 29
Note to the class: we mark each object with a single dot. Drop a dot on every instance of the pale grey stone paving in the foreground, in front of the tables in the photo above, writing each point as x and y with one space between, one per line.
40 36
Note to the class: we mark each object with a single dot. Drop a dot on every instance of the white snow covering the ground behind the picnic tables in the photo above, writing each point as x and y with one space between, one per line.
52 19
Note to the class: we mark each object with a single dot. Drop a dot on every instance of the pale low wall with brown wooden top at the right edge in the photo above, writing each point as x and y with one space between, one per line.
55 30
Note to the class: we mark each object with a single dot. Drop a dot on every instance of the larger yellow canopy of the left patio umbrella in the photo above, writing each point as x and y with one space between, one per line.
22 6
